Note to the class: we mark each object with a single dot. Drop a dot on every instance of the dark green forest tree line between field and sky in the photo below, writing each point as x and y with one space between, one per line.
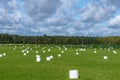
17 39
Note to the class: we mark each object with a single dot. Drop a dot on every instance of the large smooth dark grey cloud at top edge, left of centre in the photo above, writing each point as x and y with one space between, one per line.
38 10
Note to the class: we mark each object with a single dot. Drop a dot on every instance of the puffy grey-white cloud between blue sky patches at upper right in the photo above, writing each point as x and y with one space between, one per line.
96 12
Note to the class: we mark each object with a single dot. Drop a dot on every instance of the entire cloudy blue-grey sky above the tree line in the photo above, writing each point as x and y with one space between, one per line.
60 17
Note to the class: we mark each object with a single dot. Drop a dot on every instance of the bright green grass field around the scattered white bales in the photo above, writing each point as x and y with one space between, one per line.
91 66
